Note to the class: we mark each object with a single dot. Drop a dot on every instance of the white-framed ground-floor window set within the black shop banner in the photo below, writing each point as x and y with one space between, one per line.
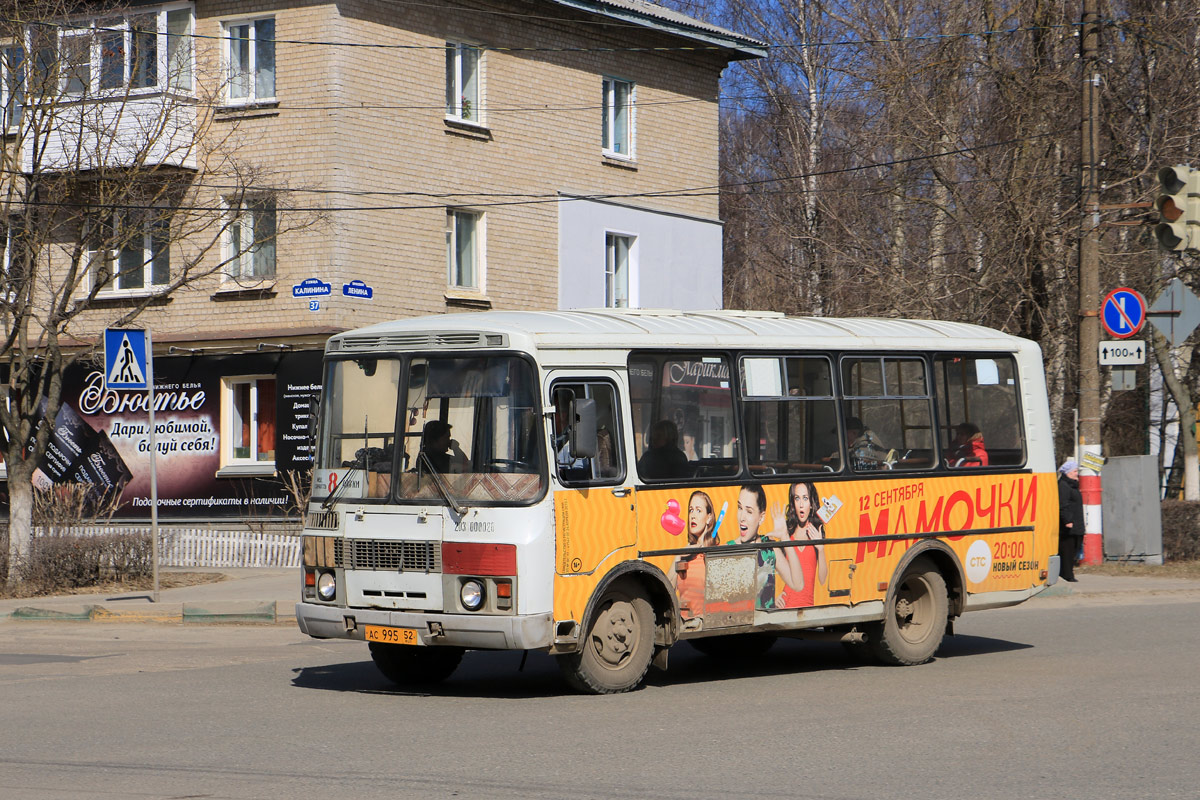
248 422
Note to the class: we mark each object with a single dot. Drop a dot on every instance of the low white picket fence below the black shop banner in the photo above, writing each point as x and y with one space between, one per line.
208 548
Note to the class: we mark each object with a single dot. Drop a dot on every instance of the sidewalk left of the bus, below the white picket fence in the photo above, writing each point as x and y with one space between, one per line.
247 596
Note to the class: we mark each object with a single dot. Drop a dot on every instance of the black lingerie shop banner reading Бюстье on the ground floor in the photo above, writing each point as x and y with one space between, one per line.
101 436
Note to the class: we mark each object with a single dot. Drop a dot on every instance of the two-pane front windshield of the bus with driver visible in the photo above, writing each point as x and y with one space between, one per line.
430 429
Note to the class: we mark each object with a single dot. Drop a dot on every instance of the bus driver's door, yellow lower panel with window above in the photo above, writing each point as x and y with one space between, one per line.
595 495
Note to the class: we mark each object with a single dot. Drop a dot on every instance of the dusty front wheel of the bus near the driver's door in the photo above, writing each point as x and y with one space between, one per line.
617 649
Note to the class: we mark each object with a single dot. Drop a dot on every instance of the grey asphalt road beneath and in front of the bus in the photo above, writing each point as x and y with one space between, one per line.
1058 699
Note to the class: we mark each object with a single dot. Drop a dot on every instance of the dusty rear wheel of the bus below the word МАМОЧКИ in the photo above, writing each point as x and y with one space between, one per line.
915 619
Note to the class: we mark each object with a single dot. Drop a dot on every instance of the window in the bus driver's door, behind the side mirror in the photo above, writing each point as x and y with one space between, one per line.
608 466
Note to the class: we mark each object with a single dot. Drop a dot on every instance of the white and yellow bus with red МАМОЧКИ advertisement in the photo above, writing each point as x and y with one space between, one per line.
602 485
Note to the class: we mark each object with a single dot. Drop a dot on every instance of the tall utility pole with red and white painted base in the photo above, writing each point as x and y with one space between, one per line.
1090 281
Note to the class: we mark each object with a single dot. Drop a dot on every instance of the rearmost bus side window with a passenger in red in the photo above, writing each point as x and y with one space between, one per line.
979 408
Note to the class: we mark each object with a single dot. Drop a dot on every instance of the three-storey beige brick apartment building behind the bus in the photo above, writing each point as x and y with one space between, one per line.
451 157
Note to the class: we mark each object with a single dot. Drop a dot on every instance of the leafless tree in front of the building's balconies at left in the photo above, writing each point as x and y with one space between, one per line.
112 179
